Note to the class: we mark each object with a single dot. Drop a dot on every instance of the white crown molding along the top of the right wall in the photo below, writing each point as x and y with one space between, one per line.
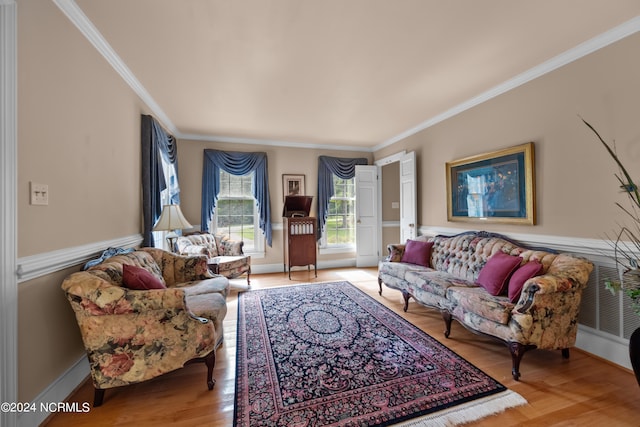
615 34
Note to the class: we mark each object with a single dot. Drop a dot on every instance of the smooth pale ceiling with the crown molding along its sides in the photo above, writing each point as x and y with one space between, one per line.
359 74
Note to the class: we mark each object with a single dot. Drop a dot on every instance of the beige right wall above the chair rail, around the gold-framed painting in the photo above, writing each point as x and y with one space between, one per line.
576 189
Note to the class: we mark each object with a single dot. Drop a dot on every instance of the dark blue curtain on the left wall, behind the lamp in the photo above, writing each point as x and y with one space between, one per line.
155 143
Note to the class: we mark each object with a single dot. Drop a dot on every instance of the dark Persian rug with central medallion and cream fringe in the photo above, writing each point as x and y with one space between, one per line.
329 354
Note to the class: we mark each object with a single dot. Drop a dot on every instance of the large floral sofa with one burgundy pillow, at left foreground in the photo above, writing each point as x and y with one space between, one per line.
145 313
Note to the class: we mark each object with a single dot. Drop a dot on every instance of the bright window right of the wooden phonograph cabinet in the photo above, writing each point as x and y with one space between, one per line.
340 229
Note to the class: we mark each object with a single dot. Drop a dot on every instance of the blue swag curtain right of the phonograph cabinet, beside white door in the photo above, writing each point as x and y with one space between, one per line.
327 168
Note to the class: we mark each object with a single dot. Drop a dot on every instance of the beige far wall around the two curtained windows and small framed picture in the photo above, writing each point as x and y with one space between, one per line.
297 161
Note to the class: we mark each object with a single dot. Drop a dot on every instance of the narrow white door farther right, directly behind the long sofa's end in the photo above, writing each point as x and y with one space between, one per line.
408 195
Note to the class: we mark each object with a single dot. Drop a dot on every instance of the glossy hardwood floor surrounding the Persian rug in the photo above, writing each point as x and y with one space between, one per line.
581 391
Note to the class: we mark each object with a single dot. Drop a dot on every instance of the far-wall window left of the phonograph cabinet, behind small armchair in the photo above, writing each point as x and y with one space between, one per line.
236 211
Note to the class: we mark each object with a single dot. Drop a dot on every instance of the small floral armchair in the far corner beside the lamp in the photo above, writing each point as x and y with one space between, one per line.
226 256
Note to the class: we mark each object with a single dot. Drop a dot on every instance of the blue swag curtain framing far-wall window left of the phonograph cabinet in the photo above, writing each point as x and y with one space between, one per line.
236 163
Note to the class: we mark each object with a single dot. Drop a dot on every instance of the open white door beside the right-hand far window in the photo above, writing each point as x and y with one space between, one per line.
368 224
